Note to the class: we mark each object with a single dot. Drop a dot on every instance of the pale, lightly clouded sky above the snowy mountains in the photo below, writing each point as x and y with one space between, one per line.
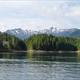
39 14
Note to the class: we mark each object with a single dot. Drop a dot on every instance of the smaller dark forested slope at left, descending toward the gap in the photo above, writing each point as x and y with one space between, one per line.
8 42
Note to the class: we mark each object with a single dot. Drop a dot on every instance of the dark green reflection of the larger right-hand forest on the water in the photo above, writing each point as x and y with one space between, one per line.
54 56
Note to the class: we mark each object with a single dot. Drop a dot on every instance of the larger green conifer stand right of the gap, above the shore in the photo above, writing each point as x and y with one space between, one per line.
52 43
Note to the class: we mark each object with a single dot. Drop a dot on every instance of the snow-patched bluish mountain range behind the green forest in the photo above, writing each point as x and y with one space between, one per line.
24 34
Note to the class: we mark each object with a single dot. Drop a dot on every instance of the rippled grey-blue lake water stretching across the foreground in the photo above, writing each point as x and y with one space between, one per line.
25 67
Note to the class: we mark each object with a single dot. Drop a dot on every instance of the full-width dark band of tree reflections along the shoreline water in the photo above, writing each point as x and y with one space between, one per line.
43 56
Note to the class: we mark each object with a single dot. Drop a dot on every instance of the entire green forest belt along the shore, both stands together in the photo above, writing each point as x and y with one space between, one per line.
39 42
